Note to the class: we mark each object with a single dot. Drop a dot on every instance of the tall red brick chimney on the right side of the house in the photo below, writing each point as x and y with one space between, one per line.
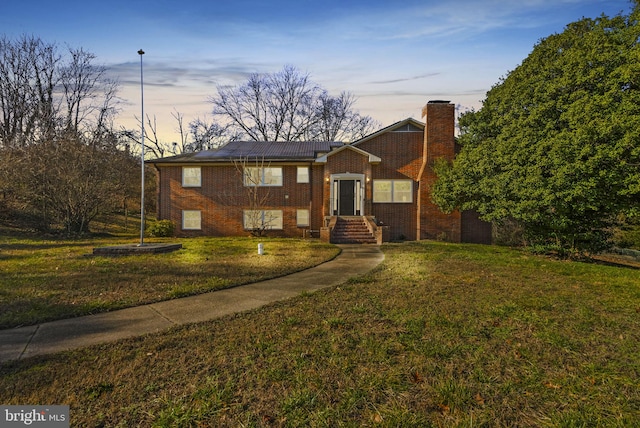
439 143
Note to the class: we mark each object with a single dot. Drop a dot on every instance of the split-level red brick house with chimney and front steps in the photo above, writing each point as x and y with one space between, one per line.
373 190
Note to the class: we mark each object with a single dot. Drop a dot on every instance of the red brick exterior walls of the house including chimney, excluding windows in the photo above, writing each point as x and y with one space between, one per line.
222 197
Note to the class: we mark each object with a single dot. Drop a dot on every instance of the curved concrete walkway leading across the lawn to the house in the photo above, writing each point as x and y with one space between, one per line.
73 333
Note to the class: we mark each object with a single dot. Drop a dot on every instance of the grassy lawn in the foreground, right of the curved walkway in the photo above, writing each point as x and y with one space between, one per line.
438 335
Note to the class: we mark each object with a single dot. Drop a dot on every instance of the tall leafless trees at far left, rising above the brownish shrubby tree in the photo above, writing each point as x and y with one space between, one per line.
45 94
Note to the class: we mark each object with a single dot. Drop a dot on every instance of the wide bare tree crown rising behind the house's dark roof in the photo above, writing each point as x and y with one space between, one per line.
288 106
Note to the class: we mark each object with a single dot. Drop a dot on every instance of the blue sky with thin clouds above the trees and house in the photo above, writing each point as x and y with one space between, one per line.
394 56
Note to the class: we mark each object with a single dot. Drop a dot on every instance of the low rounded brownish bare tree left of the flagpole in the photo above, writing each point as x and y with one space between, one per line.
69 182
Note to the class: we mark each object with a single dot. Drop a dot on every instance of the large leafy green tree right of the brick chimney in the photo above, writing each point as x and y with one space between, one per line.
556 144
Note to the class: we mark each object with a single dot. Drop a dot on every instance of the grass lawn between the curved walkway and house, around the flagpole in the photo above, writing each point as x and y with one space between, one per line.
47 280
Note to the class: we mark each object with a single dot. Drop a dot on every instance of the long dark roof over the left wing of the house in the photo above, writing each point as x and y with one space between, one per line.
268 150
